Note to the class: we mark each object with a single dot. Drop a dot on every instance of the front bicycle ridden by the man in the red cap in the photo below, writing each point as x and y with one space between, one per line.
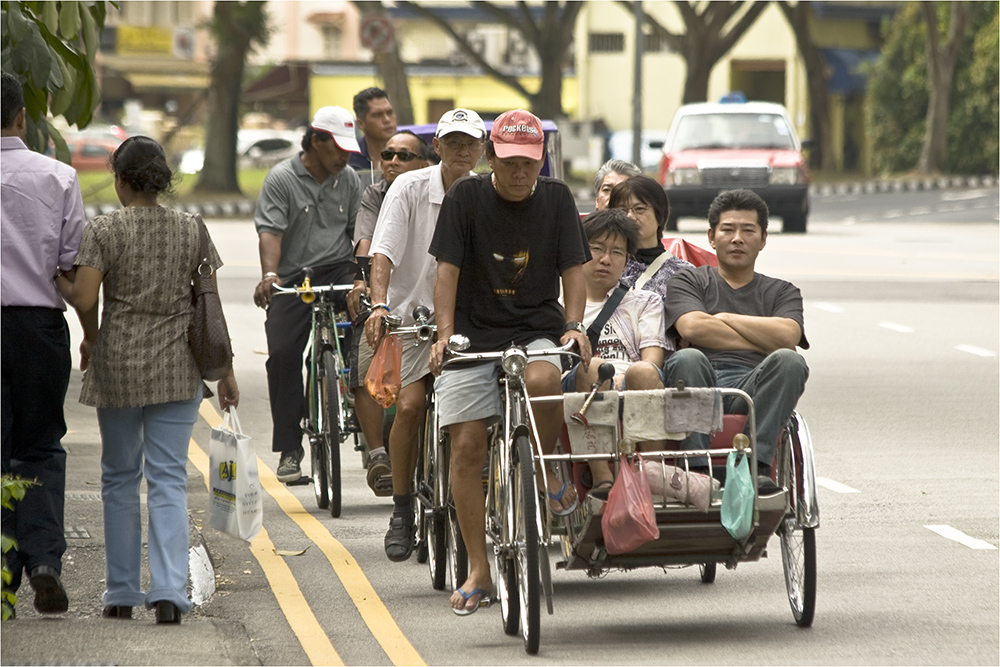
515 522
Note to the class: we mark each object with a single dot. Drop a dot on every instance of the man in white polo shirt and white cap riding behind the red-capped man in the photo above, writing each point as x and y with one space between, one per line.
402 278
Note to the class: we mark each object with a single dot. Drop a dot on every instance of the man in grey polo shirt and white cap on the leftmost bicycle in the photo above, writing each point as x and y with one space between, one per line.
305 218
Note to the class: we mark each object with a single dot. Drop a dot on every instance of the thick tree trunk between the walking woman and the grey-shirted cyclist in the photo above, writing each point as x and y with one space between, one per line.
238 27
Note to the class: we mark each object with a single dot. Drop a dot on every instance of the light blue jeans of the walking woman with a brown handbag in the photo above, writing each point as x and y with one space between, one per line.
152 439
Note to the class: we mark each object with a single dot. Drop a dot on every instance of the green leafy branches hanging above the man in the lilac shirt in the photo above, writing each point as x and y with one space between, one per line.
50 47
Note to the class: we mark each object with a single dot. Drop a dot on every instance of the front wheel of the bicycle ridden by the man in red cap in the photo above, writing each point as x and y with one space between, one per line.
526 544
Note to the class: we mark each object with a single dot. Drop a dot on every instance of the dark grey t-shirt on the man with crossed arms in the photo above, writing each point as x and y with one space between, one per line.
703 289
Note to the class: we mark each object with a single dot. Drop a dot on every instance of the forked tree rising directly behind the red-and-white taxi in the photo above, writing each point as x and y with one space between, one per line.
711 30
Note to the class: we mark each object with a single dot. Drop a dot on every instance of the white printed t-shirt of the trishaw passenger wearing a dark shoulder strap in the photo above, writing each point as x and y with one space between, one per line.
637 323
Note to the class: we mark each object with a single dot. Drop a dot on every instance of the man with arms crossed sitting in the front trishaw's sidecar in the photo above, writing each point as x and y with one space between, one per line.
742 326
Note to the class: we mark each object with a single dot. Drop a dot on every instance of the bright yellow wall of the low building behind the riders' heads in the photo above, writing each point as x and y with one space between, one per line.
480 93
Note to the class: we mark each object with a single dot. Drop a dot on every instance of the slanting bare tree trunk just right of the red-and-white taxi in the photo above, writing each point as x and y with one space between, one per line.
817 79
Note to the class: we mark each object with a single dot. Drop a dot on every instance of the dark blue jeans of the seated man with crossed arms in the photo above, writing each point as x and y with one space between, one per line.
775 386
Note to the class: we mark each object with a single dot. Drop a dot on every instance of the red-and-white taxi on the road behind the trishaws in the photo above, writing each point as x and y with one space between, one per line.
712 147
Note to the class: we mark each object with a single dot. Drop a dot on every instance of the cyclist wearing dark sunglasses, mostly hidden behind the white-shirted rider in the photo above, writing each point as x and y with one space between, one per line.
403 152
